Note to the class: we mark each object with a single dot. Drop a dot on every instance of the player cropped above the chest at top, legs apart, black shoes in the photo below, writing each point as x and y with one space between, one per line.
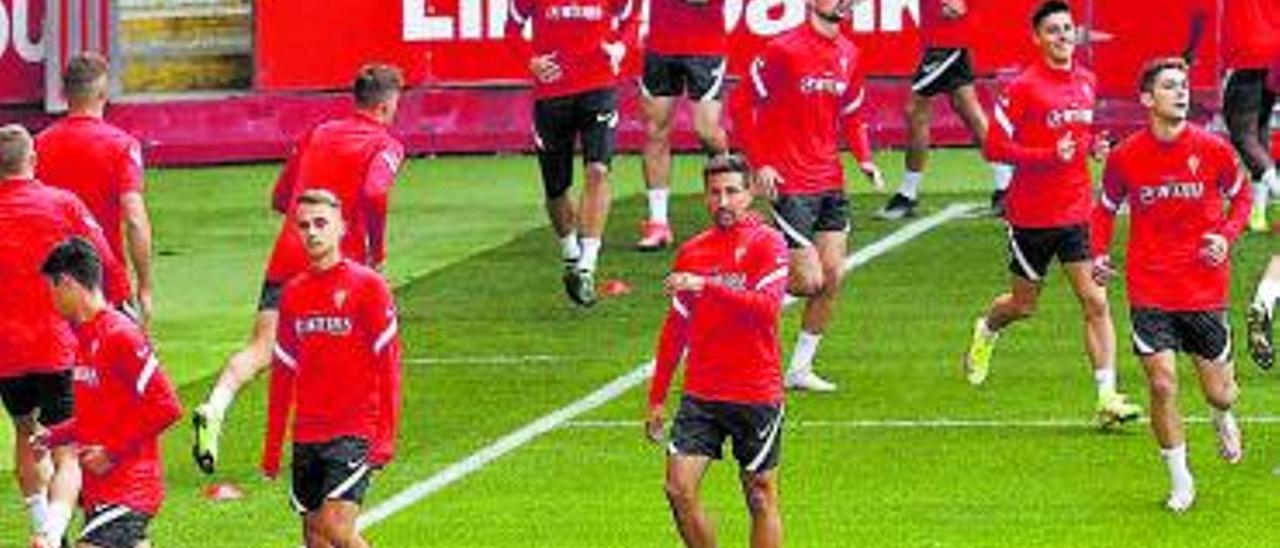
947 30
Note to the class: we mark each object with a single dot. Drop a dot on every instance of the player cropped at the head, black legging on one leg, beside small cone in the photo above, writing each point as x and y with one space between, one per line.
575 57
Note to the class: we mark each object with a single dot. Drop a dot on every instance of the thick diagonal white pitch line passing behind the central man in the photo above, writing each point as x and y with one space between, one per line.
511 442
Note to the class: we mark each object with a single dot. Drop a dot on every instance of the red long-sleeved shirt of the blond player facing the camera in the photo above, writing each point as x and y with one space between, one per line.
336 363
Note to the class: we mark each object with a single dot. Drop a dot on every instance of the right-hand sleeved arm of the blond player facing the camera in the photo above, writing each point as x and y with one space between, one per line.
387 351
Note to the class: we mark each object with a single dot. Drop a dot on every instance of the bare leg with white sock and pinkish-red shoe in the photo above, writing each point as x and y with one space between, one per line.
656 232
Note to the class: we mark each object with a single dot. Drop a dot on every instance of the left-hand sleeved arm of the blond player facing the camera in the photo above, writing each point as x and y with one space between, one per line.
285 367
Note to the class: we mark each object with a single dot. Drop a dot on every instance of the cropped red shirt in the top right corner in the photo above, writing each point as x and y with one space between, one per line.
1251 34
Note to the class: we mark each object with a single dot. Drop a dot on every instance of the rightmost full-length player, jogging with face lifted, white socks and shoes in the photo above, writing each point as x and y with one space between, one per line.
1176 179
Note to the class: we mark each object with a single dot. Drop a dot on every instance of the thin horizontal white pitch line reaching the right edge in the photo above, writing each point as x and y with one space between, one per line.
922 424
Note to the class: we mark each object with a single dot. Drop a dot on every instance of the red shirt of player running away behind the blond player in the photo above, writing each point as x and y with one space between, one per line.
358 161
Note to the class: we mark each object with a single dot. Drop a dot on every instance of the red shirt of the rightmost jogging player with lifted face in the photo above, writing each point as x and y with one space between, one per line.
1178 193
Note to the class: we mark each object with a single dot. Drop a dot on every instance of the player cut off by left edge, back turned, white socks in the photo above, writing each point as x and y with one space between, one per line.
36 346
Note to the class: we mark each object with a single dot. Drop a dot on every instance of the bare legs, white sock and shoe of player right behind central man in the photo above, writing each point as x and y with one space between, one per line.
830 249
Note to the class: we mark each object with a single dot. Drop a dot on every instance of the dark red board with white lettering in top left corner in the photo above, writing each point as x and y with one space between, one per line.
22 52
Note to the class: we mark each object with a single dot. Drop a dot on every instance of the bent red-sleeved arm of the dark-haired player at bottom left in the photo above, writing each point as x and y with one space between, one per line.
135 362
